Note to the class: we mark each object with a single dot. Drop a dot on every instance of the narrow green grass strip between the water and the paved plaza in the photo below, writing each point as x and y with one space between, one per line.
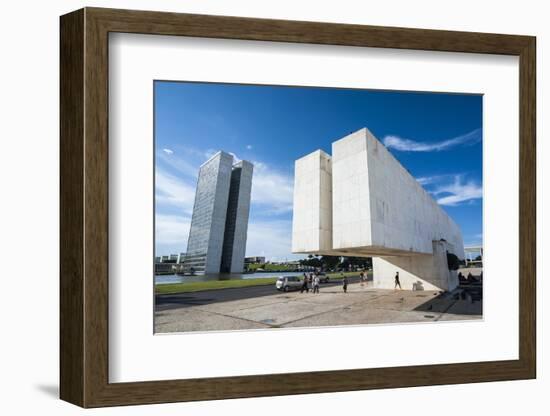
226 284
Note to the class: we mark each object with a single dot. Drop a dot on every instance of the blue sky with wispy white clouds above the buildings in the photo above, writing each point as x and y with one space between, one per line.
437 137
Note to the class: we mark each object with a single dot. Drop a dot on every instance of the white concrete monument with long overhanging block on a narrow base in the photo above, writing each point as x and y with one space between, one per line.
362 202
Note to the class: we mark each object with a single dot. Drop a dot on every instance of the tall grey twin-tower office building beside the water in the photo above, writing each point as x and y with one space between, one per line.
219 224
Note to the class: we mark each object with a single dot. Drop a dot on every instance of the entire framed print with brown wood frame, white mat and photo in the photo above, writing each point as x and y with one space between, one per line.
255 207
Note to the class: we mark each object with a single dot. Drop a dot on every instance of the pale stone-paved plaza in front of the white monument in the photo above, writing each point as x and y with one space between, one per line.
361 305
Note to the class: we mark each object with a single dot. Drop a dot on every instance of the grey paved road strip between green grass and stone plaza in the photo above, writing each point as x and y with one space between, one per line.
205 297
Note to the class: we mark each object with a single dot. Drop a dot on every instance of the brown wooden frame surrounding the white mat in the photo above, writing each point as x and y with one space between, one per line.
84 207
